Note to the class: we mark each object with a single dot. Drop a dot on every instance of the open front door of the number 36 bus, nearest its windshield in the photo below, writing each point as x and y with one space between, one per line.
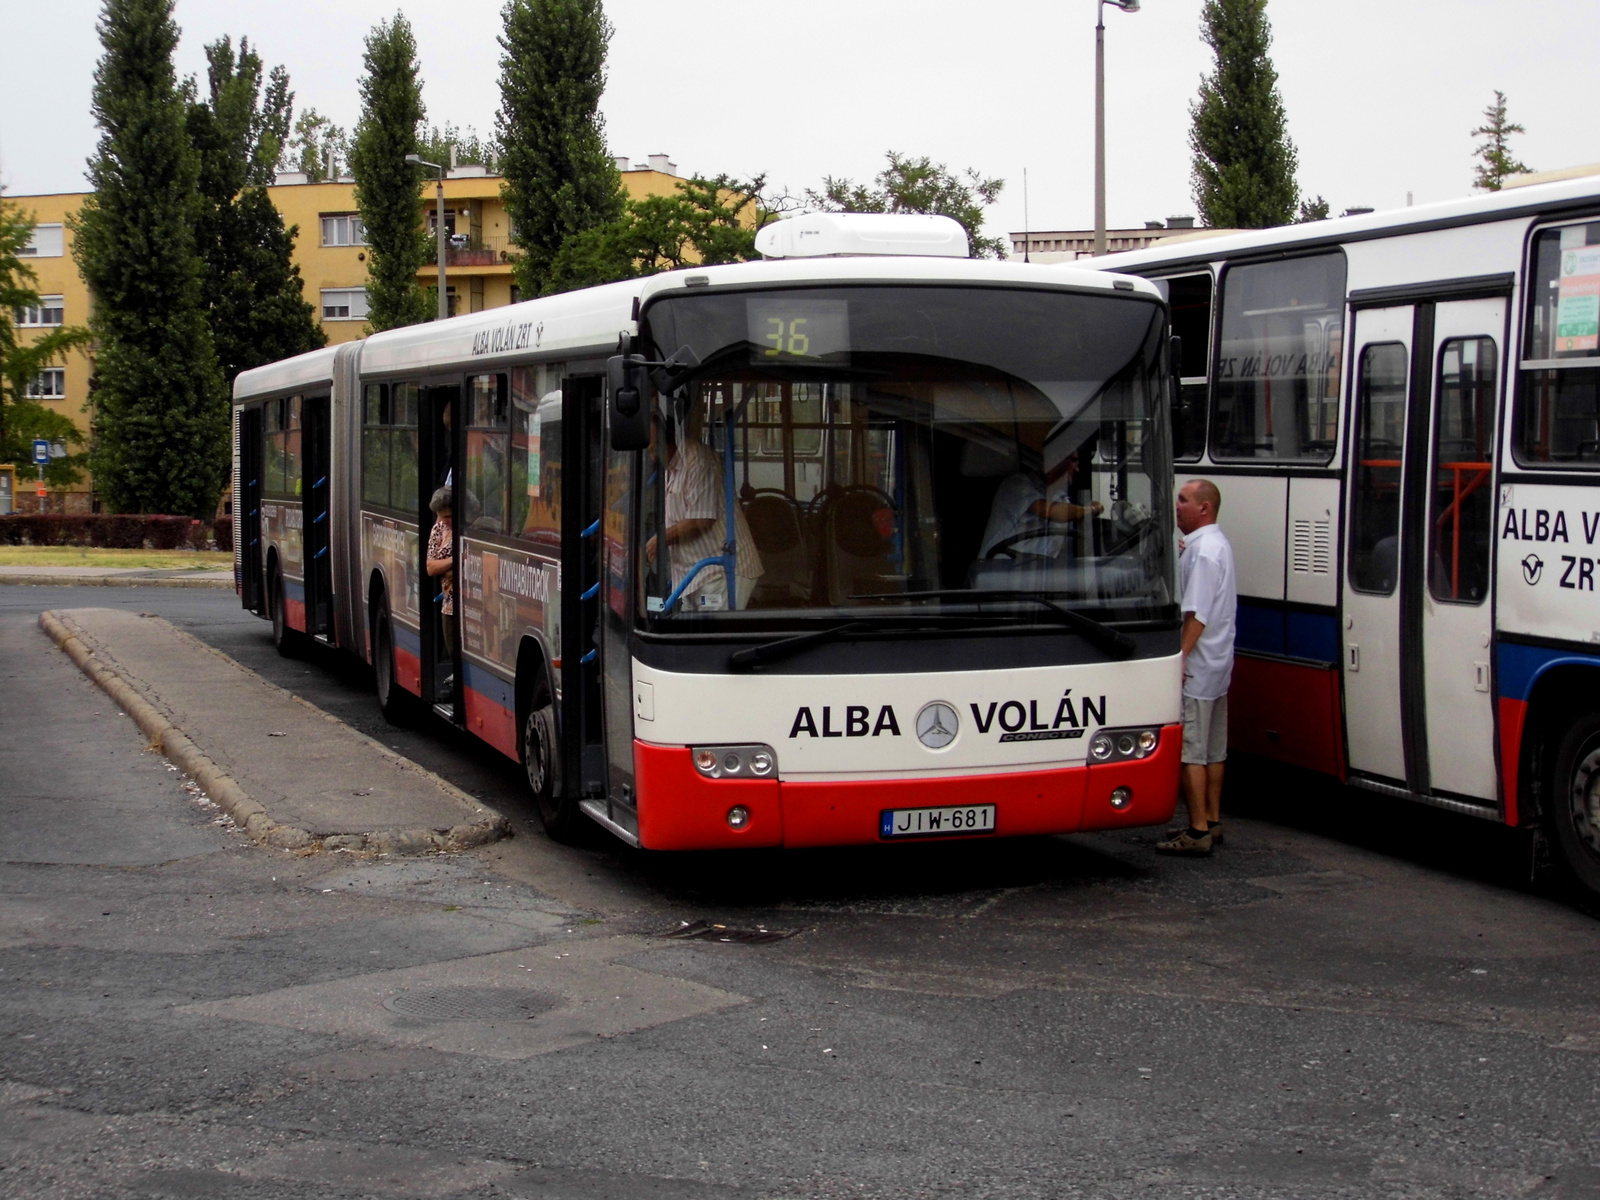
583 738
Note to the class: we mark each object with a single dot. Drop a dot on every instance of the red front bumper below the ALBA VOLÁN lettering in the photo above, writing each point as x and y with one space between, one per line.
679 809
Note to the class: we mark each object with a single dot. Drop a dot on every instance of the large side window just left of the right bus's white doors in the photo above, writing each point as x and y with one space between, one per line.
1278 372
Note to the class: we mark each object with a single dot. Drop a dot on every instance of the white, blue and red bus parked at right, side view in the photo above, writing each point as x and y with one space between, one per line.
1402 412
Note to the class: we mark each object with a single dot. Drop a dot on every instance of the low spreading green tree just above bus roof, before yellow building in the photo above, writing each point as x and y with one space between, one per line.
705 223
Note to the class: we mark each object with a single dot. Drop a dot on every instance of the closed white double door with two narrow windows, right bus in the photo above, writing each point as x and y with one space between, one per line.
1418 537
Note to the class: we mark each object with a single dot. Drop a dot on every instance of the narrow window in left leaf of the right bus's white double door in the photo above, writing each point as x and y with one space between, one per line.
1380 450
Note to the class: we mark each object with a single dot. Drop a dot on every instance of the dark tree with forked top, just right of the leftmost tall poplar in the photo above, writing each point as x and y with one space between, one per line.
254 287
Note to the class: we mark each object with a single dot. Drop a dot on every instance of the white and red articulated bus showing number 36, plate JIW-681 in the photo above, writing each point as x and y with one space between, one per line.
858 543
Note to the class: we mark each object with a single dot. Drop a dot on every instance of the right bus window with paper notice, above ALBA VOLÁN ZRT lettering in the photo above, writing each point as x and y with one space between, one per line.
1559 394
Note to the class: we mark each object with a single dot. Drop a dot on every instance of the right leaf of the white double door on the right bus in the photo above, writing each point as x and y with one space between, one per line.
1455 607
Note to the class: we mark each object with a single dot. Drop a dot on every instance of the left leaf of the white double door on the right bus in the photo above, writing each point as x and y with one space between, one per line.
1374 545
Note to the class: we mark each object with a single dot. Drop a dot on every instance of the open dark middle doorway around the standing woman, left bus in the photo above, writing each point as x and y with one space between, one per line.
439 454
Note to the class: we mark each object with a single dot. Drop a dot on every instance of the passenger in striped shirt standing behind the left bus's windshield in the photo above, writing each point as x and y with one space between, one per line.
697 526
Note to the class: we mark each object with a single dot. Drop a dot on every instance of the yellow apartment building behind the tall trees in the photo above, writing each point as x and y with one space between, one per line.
332 255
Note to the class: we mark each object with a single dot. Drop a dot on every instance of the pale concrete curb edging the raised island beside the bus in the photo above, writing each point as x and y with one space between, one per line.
244 809
